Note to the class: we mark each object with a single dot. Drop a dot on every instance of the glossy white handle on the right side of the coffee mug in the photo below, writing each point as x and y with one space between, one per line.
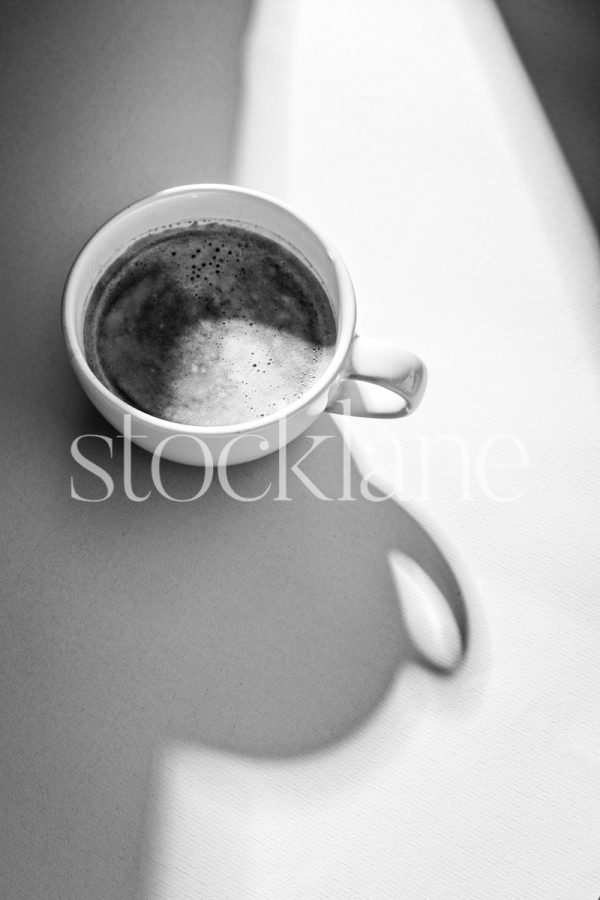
382 363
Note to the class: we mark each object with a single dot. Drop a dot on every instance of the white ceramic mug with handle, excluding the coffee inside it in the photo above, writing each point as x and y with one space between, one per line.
356 359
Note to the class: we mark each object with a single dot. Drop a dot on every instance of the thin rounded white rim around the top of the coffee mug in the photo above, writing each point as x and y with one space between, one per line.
345 324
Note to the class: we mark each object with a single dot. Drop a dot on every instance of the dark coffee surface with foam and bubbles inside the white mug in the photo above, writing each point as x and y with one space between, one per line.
209 324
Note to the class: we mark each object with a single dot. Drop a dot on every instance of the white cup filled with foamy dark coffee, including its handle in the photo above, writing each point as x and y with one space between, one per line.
213 324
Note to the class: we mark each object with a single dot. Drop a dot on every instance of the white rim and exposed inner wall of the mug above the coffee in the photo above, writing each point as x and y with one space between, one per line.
185 205
